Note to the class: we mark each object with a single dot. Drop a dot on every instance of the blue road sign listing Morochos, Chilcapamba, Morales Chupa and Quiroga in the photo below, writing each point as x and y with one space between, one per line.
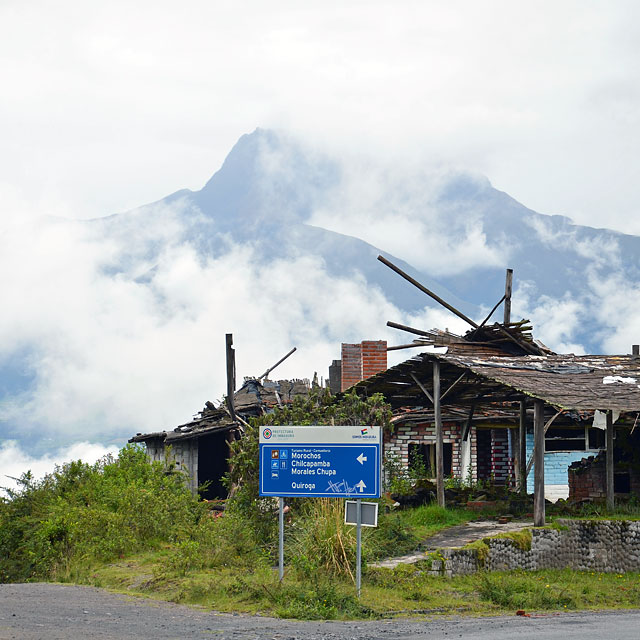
333 462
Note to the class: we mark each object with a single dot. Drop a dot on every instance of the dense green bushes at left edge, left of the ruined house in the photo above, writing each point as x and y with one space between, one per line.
83 513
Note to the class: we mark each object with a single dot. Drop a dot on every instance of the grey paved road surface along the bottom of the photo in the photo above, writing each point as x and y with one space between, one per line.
54 612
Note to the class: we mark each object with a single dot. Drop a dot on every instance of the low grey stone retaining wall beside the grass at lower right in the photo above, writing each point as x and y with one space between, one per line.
583 545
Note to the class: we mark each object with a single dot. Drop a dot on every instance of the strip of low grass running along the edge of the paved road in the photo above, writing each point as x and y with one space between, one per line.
405 590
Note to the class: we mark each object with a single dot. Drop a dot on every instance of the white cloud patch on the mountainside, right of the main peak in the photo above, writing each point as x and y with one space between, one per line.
398 208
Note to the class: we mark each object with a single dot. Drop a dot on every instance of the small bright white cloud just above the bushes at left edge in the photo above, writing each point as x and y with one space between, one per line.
14 461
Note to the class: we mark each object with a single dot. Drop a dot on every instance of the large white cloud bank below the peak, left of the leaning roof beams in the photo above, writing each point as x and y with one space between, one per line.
122 331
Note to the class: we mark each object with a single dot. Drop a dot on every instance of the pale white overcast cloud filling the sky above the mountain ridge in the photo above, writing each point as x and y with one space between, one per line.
543 99
